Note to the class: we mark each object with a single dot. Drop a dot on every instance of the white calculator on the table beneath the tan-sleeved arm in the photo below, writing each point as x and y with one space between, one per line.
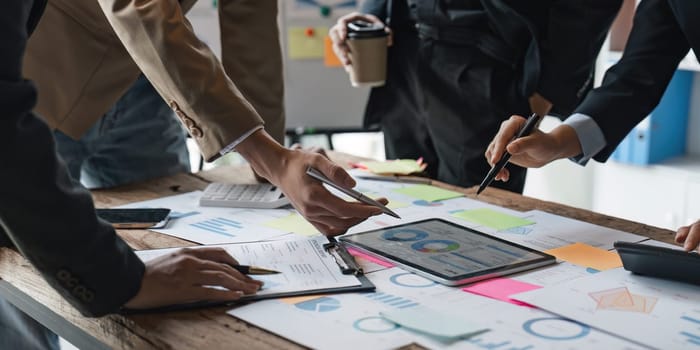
263 196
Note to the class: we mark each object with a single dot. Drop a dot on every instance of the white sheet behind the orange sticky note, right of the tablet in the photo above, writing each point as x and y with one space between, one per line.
553 231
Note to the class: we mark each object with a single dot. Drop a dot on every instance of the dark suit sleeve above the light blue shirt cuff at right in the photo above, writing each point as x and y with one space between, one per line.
634 86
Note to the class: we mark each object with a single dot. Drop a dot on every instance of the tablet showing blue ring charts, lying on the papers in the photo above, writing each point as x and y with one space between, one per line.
446 252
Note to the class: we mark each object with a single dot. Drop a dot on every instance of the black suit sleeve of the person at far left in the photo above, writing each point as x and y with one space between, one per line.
48 218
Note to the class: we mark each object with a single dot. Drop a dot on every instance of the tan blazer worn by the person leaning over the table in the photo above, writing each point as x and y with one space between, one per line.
80 58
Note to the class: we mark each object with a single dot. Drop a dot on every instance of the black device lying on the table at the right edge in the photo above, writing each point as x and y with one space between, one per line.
674 264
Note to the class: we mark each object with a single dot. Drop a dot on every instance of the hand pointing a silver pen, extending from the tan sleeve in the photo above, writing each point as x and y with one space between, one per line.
287 169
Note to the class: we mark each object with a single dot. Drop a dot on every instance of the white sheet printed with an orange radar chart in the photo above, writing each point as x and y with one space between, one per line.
658 313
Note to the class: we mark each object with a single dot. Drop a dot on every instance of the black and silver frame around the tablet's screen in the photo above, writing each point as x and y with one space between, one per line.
542 260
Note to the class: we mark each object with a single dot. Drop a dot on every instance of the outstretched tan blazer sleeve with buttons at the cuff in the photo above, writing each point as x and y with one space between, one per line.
184 71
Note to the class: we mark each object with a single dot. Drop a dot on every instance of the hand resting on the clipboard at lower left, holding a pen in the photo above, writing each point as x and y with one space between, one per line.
189 275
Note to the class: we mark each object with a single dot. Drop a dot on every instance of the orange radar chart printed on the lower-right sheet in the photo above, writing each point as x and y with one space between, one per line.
620 299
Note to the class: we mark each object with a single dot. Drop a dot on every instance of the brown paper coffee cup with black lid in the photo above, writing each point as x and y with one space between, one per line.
367 43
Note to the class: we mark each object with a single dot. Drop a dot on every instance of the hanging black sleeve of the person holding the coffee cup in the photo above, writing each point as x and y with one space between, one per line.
575 32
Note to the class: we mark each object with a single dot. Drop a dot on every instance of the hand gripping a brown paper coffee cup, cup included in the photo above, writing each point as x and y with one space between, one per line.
360 42
